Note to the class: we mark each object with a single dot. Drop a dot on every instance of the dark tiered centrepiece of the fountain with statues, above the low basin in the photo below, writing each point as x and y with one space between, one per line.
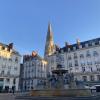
59 77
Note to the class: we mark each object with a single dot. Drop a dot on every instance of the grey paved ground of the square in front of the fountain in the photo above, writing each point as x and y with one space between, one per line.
9 96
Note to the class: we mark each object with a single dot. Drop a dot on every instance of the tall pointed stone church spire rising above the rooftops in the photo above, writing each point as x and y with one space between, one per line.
49 46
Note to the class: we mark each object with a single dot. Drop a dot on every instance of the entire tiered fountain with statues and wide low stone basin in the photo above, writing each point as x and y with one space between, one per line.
55 85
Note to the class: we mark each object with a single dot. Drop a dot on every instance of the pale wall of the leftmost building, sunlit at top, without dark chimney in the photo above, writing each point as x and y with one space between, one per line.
9 67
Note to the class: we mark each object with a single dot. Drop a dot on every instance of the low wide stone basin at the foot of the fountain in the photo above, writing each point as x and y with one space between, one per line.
61 92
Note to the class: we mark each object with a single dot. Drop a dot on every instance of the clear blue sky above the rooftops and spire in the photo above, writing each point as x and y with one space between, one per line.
25 22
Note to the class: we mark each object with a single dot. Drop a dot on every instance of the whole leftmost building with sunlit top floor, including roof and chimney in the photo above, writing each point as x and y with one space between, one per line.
9 68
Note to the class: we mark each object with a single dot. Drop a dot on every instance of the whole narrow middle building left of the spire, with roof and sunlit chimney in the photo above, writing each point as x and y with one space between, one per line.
34 72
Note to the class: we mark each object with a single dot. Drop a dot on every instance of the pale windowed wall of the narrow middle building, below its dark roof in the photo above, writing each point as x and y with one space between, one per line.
34 72
